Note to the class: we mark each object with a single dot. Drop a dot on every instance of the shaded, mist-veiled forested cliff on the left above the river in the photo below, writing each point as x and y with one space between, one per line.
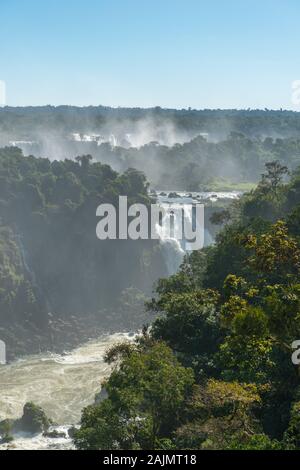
52 266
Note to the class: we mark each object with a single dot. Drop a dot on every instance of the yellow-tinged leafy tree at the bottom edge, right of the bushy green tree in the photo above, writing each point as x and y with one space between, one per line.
217 412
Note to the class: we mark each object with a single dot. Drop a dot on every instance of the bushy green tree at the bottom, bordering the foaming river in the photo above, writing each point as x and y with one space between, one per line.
146 399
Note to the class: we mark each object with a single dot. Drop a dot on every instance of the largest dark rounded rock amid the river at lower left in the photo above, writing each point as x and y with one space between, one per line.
34 420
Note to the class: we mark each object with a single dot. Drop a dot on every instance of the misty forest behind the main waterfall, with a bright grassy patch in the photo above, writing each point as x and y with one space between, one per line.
234 163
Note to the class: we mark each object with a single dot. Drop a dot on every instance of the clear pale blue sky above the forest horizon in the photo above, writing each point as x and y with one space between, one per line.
170 53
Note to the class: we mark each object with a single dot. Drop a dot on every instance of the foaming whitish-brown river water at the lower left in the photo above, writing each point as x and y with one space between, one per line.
61 384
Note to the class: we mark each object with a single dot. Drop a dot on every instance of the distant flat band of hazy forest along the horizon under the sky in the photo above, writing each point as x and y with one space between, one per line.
253 123
